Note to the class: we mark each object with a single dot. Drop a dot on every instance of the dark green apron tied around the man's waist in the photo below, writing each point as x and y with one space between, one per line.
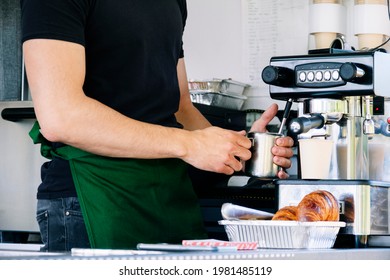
129 201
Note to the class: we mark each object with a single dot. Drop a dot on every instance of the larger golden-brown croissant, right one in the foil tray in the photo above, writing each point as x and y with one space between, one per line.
319 205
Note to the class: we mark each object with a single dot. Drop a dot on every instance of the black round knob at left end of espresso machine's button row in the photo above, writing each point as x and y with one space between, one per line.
278 76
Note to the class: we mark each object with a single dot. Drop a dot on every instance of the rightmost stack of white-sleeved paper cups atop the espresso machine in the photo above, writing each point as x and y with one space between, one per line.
371 22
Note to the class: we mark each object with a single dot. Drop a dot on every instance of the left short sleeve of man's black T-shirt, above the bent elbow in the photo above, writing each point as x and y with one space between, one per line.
54 19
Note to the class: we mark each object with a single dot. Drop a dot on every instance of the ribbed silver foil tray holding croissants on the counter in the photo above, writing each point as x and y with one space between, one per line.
283 234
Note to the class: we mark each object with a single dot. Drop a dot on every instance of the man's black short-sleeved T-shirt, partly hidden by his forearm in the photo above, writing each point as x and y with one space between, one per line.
132 49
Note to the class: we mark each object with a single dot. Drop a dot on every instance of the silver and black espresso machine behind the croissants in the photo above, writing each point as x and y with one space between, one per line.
342 96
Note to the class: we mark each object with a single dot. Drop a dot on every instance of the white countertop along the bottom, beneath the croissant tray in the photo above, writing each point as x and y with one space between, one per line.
23 252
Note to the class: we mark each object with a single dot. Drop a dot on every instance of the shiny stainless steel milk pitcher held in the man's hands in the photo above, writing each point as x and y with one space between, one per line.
261 163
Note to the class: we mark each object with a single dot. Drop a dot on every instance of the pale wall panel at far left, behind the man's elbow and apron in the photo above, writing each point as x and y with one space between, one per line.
20 162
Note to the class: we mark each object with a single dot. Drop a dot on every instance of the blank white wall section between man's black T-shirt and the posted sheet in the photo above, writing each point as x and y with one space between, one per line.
212 39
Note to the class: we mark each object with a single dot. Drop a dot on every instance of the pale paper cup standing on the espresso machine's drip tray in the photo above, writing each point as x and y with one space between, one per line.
315 155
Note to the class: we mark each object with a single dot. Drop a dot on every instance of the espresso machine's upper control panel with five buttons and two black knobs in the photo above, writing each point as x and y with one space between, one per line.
328 75
